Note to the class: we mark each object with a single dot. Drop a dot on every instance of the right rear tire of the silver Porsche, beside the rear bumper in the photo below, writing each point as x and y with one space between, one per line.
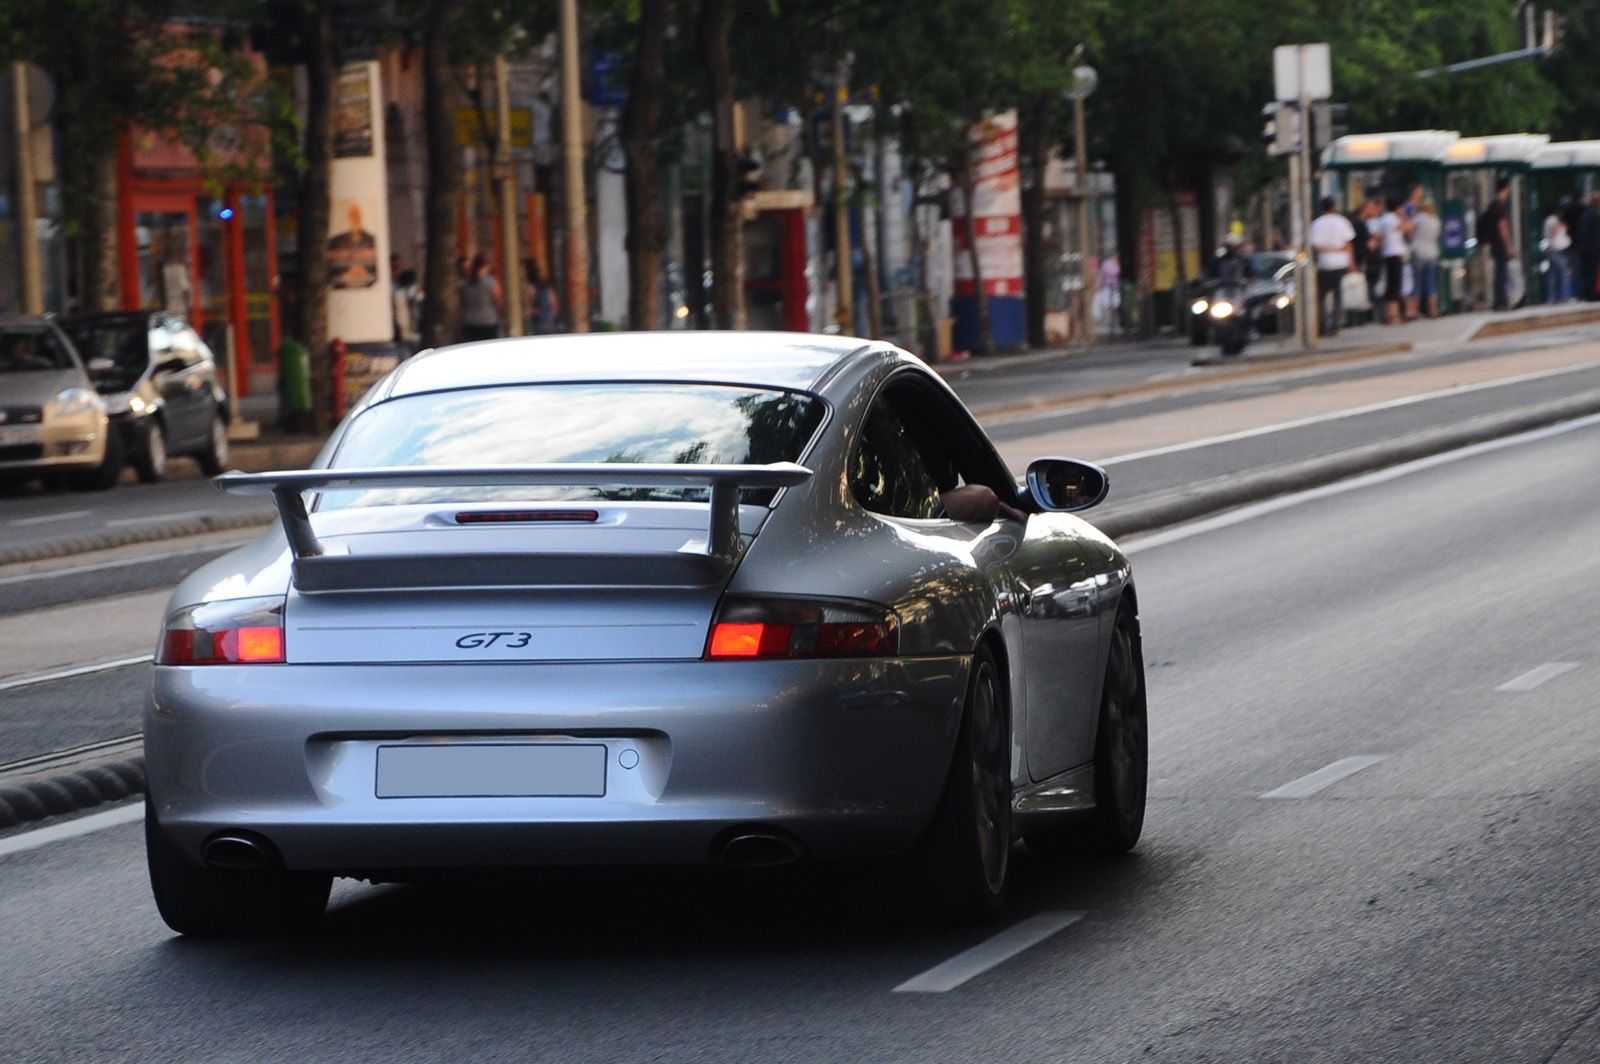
964 860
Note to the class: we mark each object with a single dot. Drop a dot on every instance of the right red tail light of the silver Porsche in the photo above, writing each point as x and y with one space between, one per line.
802 628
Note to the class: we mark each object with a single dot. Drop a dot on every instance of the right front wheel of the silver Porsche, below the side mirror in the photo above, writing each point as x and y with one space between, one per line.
1122 759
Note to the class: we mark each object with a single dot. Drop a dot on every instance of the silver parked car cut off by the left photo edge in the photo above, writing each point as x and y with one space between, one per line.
52 422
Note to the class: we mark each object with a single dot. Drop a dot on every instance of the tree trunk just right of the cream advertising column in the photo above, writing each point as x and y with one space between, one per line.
441 294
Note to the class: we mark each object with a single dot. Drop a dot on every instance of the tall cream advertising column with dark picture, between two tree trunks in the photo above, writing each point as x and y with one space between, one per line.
359 306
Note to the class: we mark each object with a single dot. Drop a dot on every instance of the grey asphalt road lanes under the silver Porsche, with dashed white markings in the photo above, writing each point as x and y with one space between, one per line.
1433 905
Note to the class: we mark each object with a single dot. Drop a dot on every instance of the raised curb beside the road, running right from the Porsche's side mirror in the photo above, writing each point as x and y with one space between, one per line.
1225 494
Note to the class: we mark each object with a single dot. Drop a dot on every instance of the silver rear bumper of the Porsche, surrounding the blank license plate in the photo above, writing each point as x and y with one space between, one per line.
847 758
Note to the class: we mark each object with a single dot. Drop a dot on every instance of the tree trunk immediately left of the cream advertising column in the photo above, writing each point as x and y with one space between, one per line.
322 68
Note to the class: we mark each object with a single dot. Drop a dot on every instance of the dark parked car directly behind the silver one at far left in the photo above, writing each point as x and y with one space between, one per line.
161 388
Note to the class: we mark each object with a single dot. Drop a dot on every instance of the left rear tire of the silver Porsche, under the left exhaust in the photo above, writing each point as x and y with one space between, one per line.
223 903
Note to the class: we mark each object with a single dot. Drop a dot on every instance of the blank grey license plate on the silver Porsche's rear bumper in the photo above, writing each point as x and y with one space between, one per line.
492 770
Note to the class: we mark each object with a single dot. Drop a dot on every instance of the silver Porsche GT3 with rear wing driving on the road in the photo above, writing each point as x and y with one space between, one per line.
638 599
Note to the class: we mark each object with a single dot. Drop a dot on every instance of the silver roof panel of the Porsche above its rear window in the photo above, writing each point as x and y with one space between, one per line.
782 361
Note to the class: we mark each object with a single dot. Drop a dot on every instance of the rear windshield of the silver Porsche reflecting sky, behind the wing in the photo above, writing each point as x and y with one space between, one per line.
542 425
